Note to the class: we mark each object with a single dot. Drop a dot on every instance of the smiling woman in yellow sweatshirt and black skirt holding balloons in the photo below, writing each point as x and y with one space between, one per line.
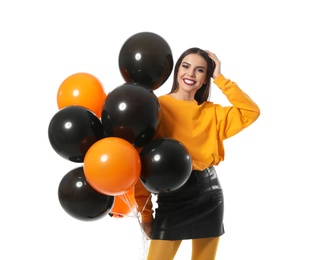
194 211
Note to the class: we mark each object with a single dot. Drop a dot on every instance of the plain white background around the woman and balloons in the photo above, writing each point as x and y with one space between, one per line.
271 172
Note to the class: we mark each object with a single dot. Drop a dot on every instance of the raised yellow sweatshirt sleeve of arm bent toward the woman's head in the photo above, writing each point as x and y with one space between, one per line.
243 112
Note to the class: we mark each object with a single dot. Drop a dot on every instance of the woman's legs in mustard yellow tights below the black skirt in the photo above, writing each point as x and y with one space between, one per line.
202 249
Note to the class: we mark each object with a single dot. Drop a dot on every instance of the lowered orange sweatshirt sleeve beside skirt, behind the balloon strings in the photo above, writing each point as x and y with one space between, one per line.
144 202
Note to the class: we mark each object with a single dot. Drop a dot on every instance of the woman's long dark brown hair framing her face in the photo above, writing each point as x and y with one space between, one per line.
202 93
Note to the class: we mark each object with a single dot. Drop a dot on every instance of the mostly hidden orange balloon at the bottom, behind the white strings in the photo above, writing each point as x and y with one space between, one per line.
123 204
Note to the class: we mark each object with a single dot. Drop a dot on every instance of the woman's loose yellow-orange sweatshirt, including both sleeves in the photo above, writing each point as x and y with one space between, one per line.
202 129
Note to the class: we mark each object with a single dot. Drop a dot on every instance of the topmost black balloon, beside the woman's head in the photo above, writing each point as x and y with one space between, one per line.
146 58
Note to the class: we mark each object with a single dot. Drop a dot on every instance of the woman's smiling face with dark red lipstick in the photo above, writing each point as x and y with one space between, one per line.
192 73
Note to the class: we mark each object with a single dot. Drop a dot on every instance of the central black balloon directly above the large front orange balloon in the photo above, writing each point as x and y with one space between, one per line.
132 112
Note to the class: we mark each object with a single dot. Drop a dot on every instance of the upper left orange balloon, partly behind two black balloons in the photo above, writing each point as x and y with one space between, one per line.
82 89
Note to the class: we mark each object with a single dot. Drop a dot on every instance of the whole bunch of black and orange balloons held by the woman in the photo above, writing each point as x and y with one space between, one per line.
105 132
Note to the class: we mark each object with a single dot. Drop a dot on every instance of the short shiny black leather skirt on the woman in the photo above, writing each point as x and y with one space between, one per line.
193 211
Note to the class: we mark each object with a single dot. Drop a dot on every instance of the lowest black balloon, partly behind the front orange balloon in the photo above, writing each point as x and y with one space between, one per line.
80 200
